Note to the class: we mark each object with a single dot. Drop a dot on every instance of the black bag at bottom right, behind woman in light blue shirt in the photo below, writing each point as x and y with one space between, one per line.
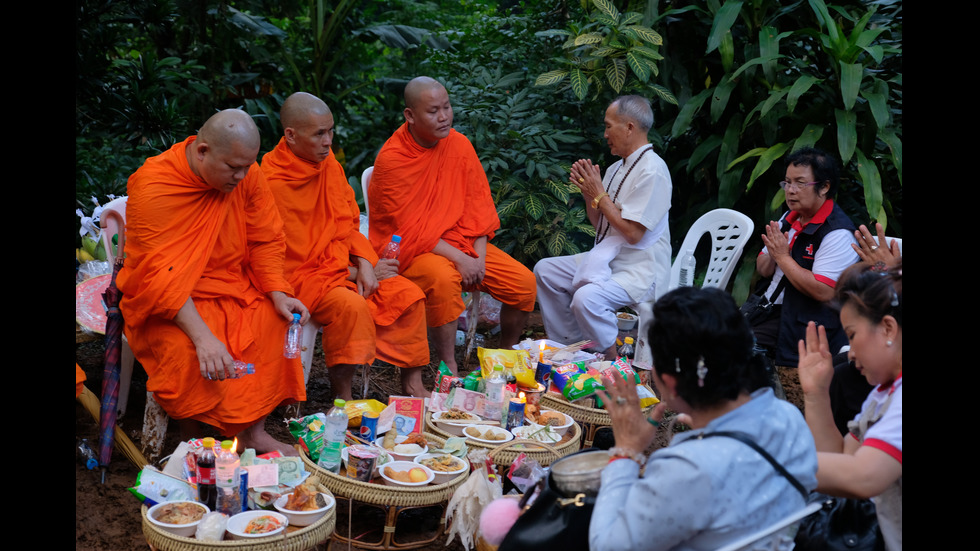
843 524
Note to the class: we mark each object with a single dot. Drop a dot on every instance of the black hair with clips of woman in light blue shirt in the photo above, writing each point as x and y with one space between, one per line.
692 326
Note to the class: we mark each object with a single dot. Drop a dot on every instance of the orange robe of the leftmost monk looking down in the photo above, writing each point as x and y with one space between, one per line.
225 251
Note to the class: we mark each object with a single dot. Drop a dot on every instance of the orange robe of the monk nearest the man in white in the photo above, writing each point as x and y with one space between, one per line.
428 194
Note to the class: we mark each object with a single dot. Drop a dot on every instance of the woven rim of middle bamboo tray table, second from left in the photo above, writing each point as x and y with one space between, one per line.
381 494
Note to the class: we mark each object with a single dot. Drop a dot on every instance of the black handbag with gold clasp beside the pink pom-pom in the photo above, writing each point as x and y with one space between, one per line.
552 522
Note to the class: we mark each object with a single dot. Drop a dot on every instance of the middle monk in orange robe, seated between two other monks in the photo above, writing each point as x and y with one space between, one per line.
367 310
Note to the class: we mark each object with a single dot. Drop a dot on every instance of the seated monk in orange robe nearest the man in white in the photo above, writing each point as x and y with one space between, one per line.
429 187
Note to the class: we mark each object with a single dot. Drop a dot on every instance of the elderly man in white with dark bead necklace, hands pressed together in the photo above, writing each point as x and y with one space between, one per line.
580 294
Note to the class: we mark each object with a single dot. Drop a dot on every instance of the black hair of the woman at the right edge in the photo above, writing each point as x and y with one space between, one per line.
875 292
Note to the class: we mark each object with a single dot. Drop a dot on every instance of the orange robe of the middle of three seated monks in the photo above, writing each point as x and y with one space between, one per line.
322 222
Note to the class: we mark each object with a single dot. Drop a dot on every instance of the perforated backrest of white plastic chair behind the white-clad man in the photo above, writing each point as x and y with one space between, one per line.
729 230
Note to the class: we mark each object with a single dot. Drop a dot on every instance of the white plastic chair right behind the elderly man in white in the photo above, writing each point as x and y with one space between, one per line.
730 230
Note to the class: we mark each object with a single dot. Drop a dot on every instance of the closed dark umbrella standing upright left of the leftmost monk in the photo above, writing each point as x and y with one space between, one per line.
110 377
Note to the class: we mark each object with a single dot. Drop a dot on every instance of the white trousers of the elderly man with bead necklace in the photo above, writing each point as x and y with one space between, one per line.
574 314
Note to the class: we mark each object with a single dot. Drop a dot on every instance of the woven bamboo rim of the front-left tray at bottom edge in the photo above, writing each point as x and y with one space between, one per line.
300 539
